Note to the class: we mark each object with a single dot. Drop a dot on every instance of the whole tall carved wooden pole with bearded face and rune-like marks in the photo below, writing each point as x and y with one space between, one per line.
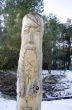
29 82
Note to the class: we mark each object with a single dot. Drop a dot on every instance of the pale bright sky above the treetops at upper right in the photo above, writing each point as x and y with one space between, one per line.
61 8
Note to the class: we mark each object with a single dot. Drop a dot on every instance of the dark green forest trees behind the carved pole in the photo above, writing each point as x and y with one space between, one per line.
57 39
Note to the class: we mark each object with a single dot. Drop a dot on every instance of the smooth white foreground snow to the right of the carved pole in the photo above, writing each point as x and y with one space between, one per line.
57 105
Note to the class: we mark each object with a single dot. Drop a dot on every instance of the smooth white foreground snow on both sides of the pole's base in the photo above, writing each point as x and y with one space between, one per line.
6 104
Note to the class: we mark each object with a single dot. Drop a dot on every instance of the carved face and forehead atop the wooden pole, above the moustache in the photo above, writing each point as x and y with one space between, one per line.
32 30
